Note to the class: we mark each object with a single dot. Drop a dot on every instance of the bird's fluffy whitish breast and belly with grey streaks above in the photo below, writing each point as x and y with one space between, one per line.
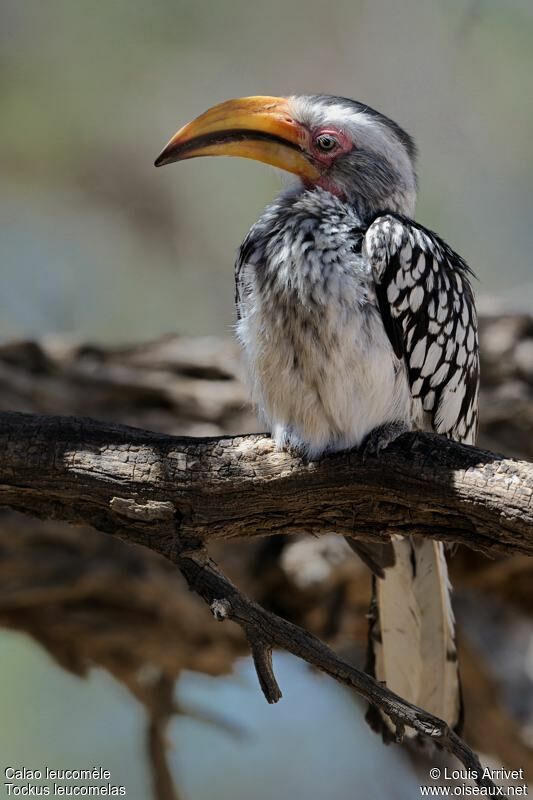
322 368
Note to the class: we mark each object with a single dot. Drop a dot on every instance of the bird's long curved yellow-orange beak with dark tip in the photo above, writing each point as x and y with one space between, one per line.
250 127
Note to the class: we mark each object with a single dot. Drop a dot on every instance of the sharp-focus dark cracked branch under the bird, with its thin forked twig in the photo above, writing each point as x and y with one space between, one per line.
176 494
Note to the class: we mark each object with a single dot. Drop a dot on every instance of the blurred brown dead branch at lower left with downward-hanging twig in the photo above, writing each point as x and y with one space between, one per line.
90 599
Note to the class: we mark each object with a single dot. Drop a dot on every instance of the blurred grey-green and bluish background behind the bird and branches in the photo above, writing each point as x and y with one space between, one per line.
97 243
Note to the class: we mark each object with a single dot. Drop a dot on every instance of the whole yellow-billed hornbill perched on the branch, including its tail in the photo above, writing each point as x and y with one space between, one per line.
358 324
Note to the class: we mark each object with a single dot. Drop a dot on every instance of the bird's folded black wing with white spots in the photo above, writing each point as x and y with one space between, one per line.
428 310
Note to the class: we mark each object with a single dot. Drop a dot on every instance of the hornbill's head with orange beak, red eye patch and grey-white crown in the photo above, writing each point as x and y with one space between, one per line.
338 144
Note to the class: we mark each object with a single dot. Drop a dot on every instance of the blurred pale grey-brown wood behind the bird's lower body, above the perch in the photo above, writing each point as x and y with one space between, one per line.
182 385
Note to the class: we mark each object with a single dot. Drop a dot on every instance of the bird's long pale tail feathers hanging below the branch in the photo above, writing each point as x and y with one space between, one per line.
413 634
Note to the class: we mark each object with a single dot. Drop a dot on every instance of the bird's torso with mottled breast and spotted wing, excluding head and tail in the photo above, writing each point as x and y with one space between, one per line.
349 326
